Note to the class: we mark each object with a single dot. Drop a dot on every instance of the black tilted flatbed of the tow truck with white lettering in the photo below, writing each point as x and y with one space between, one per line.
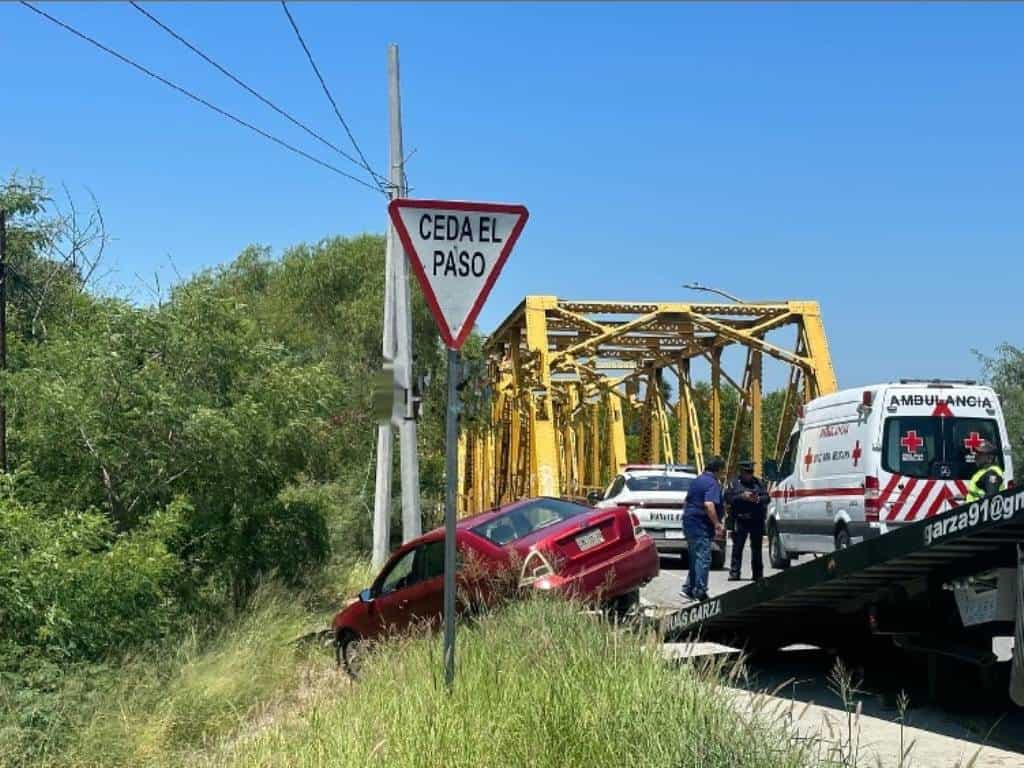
892 588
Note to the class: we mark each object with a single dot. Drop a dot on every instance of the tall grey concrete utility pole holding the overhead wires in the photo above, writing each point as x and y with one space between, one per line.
398 347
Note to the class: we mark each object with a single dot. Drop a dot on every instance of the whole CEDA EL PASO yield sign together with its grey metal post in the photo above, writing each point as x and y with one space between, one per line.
457 251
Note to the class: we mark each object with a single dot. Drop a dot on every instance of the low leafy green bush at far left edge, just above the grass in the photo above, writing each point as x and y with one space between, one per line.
74 588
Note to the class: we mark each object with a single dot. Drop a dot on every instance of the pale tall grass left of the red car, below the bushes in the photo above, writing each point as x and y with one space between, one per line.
168 703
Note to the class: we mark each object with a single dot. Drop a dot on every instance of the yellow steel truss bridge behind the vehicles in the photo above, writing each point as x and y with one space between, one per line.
564 378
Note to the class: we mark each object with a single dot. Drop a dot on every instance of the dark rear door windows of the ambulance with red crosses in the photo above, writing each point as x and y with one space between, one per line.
936 448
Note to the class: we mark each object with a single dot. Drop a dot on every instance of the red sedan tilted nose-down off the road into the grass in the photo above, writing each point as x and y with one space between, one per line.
548 544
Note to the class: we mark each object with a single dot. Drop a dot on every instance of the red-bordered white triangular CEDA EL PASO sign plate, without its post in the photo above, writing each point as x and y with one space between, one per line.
457 251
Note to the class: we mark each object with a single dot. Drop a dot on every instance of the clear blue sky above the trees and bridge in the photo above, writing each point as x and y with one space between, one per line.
870 157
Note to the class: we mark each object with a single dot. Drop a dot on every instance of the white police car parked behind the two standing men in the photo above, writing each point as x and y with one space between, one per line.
657 495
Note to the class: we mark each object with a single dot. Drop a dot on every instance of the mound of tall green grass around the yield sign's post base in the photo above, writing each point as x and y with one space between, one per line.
538 686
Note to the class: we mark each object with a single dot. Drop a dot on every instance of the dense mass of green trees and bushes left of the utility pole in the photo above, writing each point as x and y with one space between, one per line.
168 458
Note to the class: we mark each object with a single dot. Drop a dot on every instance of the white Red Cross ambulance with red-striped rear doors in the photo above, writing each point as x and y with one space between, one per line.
865 461
